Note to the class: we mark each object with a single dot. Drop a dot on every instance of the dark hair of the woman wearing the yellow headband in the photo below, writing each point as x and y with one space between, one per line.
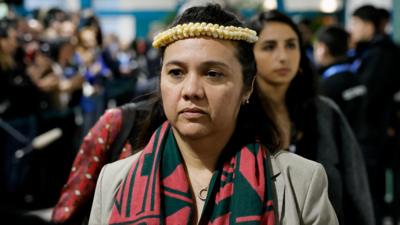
213 13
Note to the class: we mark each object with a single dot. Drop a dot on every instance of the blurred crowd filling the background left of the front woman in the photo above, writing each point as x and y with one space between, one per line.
58 74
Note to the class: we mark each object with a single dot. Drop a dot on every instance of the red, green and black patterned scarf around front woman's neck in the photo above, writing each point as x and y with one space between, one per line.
157 191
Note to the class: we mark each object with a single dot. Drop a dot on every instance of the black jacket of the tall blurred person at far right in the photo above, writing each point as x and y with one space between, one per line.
380 73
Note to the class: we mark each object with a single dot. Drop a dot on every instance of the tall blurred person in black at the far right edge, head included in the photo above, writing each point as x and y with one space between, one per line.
377 59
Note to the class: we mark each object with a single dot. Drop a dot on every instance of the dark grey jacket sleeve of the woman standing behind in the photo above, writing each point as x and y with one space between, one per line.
339 153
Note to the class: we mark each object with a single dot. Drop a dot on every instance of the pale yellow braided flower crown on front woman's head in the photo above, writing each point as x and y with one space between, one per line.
189 30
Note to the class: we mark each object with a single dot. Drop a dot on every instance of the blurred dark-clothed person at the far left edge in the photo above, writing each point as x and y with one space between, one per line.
19 99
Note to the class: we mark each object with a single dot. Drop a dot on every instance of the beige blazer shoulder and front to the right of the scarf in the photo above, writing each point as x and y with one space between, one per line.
301 187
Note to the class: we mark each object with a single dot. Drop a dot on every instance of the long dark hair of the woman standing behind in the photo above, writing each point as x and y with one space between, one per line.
302 91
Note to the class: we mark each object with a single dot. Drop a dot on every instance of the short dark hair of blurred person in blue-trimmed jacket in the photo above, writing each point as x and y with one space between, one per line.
335 38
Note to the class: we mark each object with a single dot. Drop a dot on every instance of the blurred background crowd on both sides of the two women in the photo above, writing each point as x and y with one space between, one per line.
58 72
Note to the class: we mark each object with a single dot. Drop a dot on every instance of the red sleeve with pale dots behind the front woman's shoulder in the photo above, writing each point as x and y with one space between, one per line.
86 168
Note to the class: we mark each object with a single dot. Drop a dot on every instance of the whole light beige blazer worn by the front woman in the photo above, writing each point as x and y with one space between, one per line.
301 190
